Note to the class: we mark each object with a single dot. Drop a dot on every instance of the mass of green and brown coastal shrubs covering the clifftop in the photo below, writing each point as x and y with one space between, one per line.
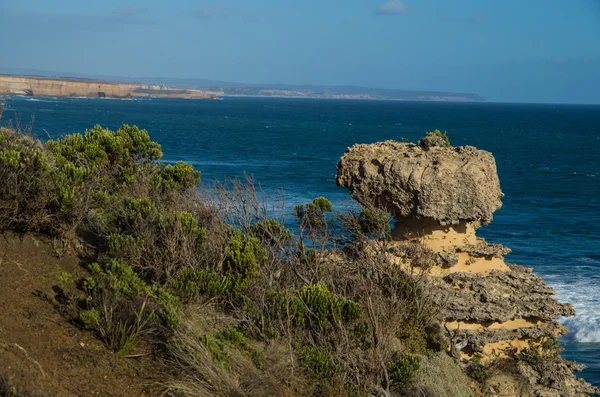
320 310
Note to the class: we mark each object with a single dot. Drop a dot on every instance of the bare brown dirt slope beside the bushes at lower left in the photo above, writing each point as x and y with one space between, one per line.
40 351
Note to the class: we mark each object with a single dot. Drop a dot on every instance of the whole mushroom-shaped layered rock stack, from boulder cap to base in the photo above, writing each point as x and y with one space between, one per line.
492 310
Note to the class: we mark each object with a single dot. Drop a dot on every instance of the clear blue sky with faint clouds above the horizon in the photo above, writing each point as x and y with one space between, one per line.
507 51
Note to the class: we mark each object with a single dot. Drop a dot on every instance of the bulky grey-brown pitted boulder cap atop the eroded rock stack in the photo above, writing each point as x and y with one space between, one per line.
446 184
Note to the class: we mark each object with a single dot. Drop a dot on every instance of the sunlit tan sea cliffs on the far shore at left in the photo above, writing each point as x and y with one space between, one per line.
63 87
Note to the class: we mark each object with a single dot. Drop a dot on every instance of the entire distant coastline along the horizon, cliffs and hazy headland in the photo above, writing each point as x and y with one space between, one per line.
205 88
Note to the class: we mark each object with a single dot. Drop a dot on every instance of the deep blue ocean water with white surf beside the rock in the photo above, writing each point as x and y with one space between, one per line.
548 159
